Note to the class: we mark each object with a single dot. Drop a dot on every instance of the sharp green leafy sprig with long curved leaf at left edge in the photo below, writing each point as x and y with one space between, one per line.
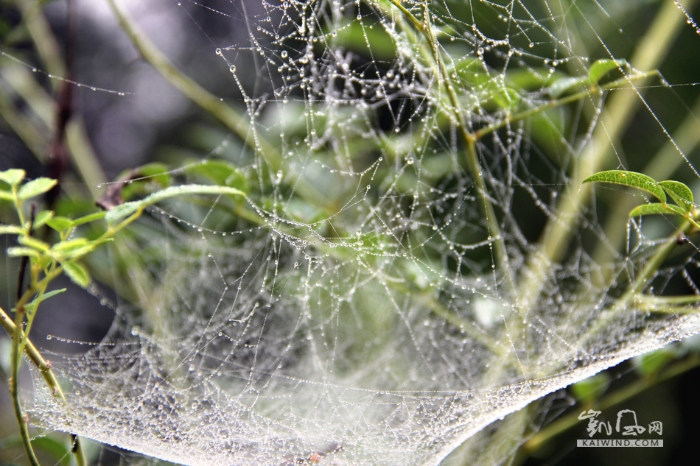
48 261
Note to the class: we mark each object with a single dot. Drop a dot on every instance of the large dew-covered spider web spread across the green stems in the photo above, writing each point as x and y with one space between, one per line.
416 257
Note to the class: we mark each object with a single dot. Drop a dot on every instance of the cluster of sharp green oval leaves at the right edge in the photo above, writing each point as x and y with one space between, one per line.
680 193
